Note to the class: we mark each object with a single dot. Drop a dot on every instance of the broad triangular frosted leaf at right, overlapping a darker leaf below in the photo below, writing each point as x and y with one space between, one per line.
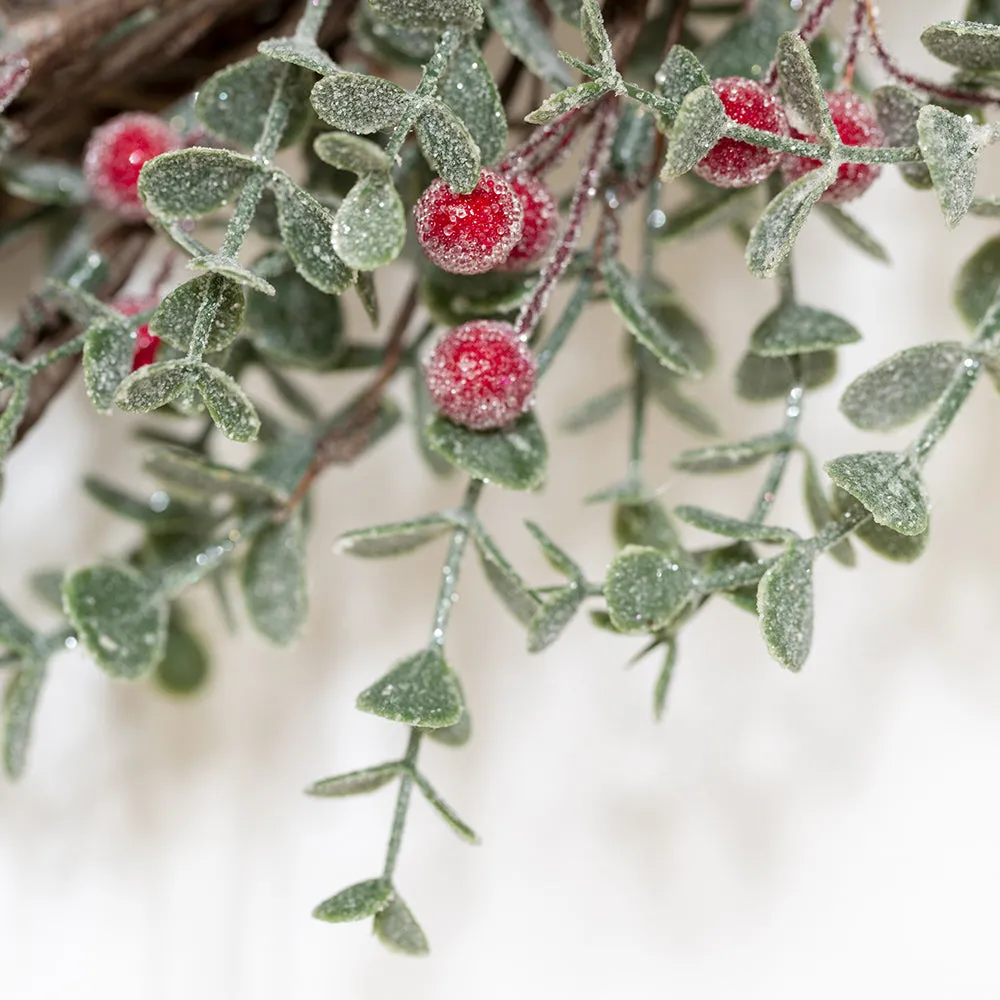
889 486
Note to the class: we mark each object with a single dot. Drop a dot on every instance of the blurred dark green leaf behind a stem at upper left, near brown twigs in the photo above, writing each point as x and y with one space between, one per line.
234 103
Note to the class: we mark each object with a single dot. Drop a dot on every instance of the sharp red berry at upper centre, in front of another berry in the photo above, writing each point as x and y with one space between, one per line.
469 233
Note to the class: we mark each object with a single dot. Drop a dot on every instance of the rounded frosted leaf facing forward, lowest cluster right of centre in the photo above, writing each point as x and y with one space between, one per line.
645 589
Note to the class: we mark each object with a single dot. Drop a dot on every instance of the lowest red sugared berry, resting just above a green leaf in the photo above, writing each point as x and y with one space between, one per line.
481 375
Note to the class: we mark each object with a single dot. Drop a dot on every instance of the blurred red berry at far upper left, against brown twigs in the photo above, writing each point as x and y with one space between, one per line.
115 154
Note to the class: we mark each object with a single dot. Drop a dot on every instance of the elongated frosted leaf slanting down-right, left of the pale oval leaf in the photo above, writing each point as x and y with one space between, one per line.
306 227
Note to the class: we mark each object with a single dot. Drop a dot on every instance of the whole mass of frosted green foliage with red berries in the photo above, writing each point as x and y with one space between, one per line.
757 109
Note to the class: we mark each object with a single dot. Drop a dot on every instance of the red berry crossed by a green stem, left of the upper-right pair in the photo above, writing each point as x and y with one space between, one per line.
730 163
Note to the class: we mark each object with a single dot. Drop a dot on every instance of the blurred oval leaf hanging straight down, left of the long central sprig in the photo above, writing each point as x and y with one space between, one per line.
274 581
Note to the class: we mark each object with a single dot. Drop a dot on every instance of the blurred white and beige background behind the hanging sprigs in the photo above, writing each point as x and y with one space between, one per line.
777 836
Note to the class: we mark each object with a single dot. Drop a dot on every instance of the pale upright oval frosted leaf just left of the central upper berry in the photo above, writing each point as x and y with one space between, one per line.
369 229
